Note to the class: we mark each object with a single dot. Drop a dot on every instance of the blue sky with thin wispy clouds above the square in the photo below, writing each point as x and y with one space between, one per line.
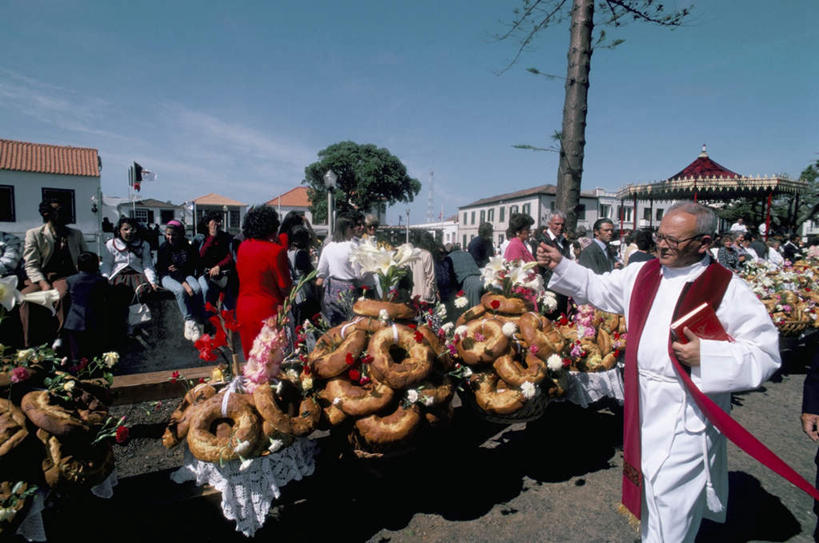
238 97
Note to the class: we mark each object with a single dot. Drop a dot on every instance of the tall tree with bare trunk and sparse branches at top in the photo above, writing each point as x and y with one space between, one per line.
531 18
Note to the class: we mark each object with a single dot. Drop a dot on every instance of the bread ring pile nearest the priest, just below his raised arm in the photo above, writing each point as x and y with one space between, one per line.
595 346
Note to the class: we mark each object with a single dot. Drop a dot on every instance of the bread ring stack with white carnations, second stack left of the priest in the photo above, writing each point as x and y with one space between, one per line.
506 346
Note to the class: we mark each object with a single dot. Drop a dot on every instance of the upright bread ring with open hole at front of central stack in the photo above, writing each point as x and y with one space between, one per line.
412 368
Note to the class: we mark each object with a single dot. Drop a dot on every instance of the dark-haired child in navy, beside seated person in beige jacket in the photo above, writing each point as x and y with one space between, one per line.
85 323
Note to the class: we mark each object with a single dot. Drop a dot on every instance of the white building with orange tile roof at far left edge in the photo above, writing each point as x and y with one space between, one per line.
33 172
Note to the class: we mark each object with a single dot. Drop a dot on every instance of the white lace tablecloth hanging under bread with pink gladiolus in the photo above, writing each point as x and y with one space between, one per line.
248 493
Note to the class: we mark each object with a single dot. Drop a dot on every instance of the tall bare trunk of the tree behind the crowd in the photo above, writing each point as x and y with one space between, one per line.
575 107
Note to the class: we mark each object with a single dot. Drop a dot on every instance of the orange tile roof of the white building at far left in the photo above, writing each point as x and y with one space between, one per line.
42 158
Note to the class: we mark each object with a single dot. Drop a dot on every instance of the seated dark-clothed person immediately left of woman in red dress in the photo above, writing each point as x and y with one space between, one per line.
216 263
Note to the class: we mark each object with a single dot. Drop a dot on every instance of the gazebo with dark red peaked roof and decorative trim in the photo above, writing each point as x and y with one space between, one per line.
705 179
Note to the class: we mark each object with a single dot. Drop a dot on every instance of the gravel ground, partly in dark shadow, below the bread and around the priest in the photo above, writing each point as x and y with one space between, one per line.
555 479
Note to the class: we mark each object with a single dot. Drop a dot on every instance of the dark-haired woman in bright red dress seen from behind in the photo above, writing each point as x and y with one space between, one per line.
264 273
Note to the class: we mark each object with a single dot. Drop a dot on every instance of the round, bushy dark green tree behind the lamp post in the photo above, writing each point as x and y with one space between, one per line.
368 176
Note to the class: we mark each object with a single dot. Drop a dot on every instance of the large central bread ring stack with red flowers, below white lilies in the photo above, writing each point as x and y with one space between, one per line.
381 379
